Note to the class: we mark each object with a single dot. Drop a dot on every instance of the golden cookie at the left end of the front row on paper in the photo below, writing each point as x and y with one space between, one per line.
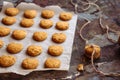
7 60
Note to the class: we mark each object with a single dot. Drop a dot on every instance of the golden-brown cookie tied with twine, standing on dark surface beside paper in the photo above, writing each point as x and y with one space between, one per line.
89 50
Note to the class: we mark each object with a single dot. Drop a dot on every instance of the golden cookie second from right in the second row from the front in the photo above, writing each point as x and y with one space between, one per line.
34 50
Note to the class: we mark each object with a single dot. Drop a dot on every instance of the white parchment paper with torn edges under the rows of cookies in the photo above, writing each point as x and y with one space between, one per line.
65 57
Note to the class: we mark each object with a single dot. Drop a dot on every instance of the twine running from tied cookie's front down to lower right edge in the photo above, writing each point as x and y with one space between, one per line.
98 71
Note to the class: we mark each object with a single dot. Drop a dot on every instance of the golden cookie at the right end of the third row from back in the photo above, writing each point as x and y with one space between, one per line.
59 37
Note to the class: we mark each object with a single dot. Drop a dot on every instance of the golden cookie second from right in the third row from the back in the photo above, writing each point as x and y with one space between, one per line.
40 36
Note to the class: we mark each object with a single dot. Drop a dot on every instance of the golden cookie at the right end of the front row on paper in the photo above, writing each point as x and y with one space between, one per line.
52 63
